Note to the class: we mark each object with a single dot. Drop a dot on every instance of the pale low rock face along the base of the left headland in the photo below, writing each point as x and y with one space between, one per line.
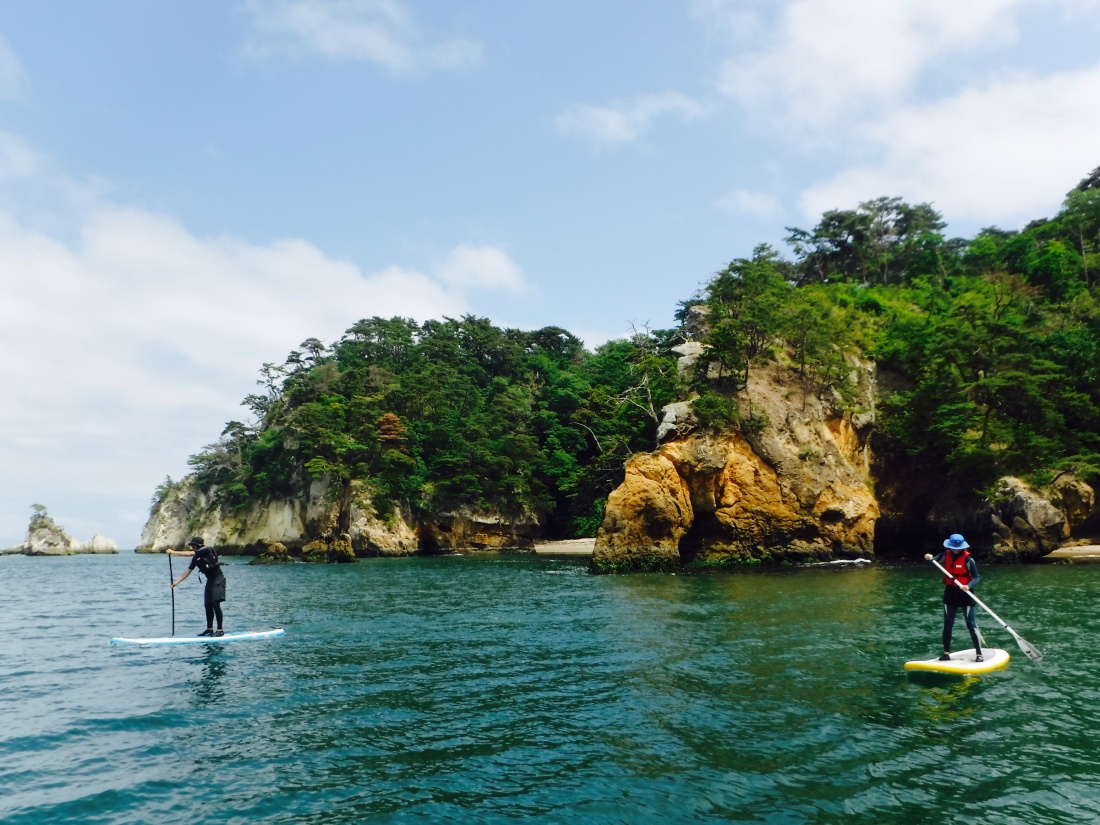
333 520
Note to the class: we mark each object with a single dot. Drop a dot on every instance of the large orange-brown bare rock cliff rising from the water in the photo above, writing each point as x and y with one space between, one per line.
793 482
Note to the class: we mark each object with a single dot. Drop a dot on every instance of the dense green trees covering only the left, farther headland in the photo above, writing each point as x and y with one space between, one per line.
449 414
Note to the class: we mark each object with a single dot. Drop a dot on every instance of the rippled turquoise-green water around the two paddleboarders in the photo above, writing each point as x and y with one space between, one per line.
497 689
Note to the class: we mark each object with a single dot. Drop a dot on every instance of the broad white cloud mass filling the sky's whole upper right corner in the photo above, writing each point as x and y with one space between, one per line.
927 95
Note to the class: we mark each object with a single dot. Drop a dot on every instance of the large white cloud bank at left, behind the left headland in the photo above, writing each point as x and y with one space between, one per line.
129 343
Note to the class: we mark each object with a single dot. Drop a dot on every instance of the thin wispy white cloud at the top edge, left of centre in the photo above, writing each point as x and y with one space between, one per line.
380 31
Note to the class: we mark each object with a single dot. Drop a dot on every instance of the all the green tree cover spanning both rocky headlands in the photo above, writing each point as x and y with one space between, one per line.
995 343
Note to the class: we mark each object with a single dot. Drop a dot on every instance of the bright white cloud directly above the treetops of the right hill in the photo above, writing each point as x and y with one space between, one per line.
1003 153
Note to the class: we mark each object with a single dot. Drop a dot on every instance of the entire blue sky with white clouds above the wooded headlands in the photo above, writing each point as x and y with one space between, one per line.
191 189
